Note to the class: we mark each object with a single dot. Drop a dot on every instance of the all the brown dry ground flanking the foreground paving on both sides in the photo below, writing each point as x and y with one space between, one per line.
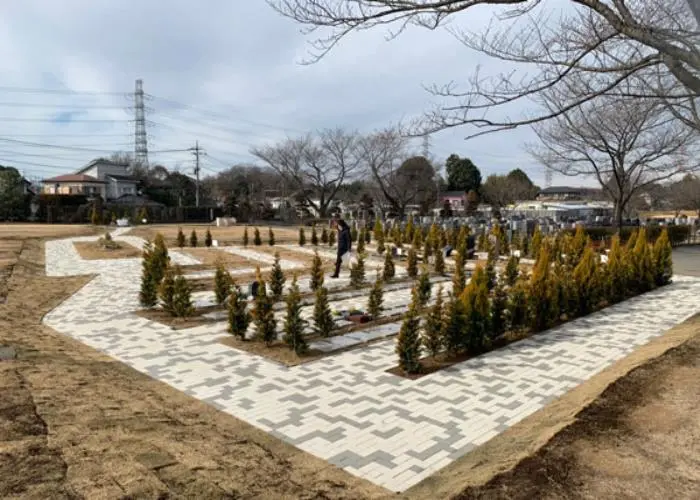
77 424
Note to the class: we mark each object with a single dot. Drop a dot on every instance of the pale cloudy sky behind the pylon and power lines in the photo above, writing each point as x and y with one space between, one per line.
235 65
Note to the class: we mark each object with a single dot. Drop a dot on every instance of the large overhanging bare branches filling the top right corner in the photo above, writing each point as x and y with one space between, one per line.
652 46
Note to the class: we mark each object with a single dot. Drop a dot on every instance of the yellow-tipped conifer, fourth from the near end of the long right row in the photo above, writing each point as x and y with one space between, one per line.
475 299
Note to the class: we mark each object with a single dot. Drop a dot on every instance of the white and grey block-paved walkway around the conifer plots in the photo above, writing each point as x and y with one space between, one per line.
345 408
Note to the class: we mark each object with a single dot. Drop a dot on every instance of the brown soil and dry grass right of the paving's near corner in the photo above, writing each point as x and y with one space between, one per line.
629 432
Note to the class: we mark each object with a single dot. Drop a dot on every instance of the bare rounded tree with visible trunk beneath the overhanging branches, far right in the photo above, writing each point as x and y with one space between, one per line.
625 144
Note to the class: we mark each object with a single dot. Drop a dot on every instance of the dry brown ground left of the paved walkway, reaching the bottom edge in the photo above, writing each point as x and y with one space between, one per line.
75 423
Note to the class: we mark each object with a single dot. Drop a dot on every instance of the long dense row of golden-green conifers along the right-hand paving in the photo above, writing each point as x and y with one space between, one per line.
568 280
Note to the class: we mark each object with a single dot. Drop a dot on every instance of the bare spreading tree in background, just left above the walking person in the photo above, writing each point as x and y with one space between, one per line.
314 166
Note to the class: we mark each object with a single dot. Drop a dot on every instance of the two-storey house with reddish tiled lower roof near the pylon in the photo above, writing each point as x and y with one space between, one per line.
106 178
